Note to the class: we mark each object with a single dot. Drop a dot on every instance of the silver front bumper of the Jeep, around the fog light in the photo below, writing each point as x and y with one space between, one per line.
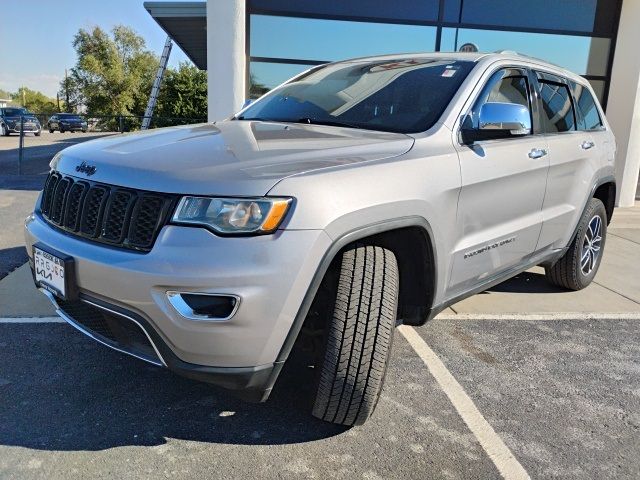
271 274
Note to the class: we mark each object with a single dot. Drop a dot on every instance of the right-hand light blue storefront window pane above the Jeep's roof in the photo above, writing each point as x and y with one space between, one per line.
582 55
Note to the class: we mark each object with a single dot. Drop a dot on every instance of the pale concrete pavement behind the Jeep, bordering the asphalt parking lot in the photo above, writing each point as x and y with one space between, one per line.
616 288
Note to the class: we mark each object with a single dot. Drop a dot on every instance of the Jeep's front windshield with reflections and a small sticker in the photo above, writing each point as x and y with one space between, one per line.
406 96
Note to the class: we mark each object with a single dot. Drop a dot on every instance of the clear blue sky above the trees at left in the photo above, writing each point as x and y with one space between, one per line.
36 36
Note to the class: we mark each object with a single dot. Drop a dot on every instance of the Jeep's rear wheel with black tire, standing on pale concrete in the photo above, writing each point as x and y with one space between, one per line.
568 272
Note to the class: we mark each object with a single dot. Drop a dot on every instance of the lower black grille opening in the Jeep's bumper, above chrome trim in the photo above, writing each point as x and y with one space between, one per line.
114 330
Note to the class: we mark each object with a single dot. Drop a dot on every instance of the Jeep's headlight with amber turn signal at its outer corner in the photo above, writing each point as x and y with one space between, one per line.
232 215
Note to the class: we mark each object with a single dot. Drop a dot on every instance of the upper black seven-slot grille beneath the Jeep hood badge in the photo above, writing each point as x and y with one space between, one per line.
118 216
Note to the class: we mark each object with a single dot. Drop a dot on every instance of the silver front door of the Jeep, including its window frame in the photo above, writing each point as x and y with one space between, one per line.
503 183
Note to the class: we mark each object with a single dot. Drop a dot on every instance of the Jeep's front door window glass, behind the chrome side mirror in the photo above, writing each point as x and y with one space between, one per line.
505 86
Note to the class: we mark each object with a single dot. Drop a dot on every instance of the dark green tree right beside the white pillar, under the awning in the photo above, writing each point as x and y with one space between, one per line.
183 93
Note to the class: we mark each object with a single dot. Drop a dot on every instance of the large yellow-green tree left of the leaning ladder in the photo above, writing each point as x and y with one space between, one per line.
113 73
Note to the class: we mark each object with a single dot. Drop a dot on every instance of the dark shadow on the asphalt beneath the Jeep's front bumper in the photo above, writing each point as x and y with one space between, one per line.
72 394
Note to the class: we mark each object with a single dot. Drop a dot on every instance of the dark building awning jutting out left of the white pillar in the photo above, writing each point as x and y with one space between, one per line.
186 24
